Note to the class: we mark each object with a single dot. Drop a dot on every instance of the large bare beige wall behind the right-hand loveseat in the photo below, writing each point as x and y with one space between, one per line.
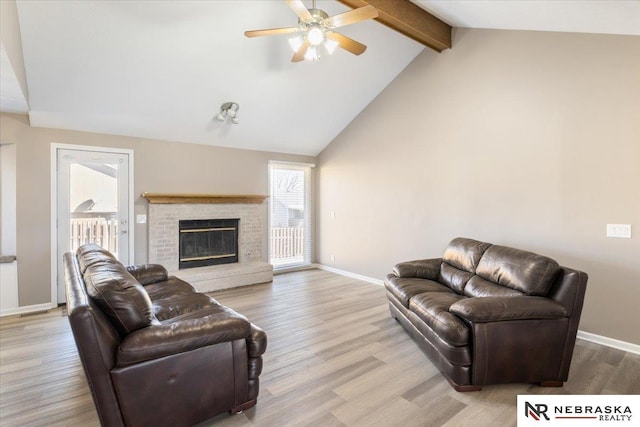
527 139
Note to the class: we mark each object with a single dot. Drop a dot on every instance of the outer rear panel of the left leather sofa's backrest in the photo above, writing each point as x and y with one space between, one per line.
96 339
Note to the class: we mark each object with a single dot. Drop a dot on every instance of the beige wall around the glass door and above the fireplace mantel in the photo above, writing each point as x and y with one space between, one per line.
160 167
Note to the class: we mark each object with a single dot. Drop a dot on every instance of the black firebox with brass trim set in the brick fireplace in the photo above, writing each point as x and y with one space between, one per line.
208 242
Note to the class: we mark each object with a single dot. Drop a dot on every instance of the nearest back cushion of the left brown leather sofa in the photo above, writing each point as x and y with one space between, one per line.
119 296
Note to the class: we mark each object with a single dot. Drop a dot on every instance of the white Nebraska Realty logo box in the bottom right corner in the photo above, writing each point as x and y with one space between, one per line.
583 410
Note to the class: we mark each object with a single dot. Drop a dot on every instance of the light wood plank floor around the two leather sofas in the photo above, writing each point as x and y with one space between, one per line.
335 358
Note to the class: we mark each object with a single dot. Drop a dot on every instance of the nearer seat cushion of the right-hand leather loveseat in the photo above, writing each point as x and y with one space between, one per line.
433 309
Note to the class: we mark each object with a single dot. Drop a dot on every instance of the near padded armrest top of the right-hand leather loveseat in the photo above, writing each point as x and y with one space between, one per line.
494 309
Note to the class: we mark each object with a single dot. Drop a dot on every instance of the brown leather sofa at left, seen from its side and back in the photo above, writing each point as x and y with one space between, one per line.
156 352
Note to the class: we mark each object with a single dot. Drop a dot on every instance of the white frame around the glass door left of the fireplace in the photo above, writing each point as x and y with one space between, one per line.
54 206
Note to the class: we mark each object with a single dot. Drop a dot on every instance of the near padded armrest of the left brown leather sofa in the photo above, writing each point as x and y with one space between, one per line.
210 326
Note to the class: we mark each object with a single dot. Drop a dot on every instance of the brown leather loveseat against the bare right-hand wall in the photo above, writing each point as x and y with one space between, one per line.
489 314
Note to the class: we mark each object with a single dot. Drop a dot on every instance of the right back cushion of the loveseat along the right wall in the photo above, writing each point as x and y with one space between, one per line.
529 273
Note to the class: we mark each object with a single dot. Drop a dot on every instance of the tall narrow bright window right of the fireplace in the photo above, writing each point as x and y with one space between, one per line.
290 215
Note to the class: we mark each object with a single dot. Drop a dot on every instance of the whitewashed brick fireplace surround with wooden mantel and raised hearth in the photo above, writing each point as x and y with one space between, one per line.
165 211
